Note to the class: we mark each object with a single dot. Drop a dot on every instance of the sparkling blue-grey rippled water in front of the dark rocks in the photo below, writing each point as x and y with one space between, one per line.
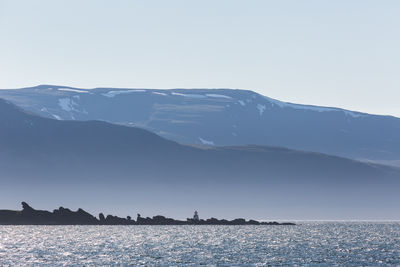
308 244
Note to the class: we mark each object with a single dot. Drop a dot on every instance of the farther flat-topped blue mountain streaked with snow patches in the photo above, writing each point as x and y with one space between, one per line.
221 117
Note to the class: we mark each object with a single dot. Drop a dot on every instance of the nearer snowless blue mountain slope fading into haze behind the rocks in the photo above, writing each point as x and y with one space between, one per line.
100 166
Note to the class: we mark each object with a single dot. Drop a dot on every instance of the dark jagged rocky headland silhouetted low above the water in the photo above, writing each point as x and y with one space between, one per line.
63 216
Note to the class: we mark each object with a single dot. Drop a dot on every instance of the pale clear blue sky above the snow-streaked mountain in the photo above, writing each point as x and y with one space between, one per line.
334 53
